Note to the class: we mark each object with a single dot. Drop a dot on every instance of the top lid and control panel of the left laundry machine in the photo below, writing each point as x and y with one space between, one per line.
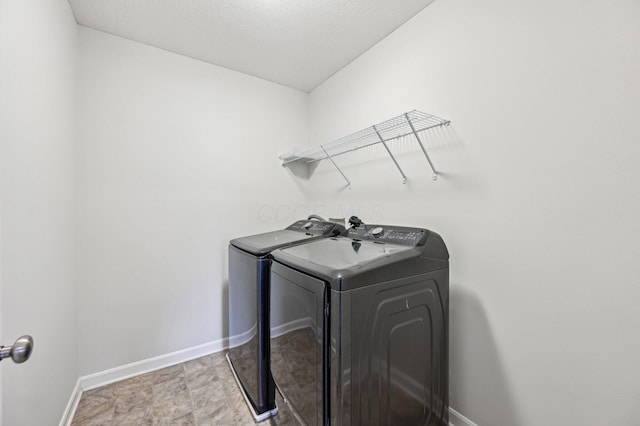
296 233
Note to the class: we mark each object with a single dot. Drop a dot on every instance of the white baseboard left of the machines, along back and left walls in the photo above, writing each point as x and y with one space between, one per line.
116 374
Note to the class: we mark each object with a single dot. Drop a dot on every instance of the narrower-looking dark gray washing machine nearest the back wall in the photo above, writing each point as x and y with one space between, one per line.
249 274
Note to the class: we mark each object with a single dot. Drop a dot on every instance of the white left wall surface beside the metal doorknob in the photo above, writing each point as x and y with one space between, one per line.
37 212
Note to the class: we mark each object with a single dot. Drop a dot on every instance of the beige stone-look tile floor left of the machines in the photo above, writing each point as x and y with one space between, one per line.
201 392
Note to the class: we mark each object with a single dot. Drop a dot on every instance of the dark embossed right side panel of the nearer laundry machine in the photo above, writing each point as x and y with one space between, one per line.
399 353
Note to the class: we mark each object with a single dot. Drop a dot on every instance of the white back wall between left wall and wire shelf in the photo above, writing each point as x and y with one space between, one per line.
176 158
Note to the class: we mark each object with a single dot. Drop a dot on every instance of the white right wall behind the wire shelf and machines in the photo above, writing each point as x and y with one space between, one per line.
538 199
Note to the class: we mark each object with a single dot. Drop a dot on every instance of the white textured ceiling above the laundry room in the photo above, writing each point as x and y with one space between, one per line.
297 43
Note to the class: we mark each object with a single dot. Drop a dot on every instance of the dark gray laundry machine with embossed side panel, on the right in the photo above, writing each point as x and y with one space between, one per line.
360 328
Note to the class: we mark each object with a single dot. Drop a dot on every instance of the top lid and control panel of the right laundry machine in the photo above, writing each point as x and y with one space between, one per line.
365 259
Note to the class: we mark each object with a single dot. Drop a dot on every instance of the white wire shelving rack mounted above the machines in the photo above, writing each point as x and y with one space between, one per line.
410 123
